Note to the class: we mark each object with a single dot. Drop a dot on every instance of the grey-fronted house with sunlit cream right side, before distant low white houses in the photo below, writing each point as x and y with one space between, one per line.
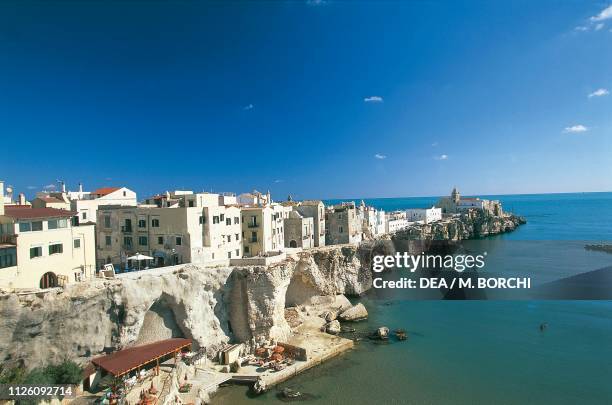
343 224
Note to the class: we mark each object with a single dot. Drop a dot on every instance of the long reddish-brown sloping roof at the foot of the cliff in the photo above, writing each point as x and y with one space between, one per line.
125 360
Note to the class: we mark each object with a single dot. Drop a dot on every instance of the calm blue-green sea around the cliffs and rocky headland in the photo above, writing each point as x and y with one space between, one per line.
483 351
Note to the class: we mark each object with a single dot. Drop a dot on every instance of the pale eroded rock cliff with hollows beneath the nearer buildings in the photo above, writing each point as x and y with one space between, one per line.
209 305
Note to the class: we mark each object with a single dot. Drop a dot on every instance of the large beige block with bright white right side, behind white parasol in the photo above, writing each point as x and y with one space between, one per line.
197 230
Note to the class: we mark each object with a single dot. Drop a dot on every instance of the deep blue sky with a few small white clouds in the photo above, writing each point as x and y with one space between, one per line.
319 99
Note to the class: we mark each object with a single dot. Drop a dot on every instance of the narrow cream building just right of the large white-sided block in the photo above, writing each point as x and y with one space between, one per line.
263 229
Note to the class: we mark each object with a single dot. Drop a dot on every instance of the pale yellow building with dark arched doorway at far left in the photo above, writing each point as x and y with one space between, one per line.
40 248
